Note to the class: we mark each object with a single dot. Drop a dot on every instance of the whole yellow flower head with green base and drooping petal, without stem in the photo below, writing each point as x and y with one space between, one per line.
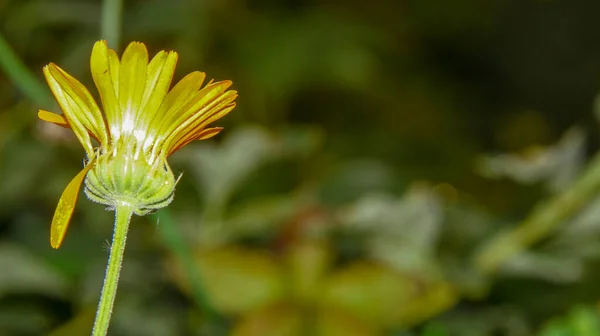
142 124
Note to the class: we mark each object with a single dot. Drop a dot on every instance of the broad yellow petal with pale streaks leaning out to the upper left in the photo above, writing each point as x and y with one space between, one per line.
78 105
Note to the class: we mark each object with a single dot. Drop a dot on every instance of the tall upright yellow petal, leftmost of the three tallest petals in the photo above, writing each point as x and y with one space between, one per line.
105 65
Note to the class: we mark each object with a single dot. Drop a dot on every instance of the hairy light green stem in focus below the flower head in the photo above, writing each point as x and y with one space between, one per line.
111 279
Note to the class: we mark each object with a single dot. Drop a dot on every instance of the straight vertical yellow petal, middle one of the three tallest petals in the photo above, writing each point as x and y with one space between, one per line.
132 82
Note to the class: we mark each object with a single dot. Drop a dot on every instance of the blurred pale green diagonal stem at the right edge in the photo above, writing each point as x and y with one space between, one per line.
541 222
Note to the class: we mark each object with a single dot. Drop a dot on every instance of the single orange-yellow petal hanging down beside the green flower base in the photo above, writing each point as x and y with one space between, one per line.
65 207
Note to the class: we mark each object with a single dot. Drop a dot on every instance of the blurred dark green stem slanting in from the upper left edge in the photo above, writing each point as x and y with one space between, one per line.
23 79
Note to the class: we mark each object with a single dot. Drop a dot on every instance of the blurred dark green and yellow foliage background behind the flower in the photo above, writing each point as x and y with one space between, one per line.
392 168
